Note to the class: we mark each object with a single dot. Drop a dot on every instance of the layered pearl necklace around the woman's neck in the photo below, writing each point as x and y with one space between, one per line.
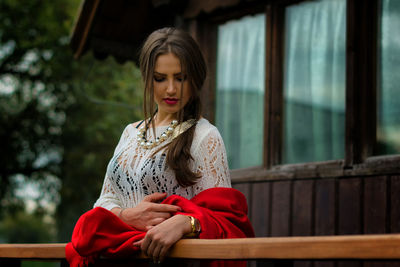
173 130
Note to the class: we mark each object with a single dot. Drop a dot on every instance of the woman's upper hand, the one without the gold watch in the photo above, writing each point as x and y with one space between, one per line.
148 212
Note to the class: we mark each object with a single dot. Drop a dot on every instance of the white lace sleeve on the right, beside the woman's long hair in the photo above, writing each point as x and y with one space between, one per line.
211 162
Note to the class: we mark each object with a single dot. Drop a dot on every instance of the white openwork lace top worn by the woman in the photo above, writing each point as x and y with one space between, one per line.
133 173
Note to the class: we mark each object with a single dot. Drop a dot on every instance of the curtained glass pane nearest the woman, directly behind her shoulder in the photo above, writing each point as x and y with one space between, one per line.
240 89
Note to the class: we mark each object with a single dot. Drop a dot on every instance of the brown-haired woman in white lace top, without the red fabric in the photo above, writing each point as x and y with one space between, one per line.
188 156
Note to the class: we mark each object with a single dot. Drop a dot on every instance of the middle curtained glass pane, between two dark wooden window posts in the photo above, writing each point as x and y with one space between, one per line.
314 81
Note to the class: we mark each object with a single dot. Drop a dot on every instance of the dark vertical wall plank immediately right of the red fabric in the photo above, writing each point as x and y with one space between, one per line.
260 208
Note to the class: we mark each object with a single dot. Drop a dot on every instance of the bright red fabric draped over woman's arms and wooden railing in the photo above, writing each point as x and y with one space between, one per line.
222 213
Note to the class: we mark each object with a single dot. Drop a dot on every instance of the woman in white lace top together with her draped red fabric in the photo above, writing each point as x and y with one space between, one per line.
174 156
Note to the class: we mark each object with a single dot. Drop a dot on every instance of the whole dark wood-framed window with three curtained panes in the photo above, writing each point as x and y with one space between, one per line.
328 70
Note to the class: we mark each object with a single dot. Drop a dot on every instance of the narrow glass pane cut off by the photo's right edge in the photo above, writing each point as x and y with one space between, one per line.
388 130
